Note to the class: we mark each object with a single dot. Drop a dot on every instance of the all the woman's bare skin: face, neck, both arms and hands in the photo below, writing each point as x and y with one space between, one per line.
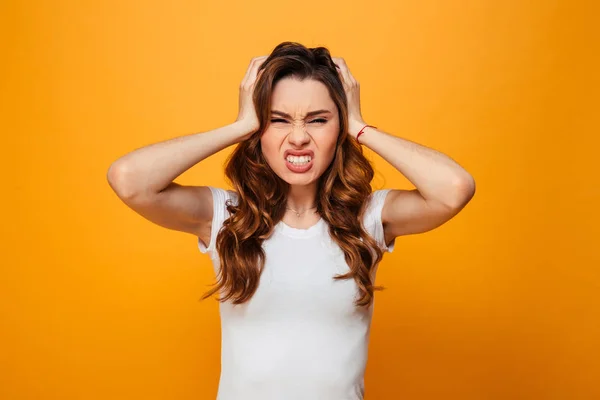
443 187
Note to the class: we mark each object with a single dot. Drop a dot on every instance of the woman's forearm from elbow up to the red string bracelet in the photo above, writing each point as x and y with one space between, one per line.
434 174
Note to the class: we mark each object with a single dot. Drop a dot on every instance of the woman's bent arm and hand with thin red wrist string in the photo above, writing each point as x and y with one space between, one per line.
443 187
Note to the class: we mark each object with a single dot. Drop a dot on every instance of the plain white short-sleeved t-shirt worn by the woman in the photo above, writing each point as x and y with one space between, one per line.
300 336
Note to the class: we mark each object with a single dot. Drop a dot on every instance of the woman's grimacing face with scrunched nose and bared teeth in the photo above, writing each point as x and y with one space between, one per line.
293 126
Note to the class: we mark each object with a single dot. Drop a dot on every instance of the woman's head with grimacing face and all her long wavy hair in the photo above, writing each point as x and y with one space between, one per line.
295 81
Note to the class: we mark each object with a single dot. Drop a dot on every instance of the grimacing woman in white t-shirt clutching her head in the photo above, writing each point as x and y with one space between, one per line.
296 243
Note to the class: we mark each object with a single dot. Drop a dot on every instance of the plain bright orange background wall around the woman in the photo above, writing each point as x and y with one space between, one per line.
502 302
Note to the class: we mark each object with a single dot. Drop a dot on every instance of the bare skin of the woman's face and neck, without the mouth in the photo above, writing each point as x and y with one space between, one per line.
298 132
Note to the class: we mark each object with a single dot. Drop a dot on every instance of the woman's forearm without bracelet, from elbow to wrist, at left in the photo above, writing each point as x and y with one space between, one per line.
152 168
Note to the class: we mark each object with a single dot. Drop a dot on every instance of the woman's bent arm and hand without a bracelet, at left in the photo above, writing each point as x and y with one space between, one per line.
143 178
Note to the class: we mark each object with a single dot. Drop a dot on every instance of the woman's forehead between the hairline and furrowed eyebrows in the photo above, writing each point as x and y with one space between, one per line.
294 96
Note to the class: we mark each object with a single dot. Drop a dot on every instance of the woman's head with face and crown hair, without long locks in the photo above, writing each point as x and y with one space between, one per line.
295 81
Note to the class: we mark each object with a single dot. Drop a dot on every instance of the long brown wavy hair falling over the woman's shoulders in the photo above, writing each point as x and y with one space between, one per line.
342 190
